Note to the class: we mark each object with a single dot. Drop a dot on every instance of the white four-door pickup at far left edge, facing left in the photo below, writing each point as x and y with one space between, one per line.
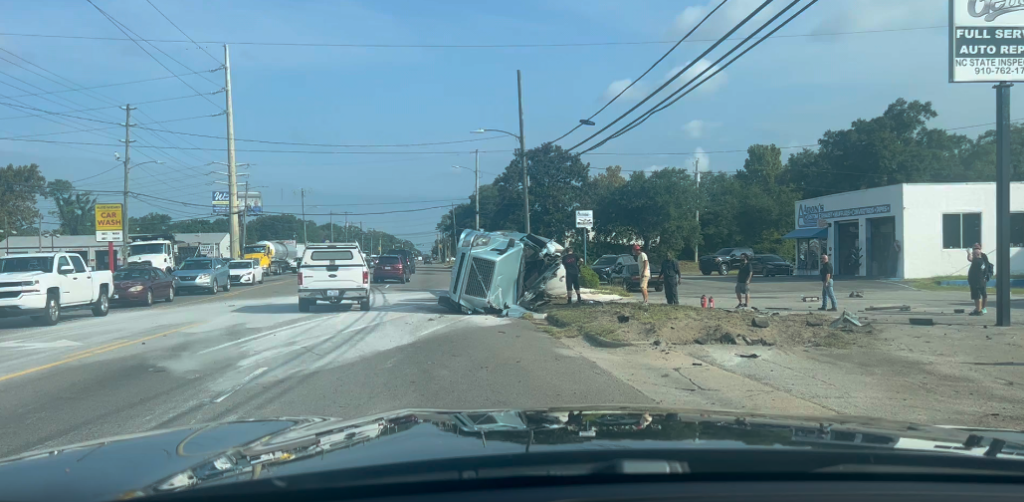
44 285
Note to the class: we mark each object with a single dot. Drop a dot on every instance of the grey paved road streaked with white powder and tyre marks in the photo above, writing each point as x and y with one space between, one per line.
250 354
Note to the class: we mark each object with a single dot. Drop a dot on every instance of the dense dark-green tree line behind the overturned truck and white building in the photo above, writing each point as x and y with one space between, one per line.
753 207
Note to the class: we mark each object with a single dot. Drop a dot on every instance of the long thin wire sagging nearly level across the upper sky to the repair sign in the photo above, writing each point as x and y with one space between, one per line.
461 47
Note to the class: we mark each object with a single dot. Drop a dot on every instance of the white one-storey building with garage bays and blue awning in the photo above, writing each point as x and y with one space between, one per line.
933 224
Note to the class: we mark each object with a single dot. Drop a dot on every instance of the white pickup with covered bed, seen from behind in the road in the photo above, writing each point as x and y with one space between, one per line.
333 273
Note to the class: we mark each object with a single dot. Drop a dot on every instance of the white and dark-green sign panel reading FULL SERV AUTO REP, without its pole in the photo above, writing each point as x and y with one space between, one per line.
987 40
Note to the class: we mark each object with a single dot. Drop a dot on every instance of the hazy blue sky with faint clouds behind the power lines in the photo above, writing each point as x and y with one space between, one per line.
787 92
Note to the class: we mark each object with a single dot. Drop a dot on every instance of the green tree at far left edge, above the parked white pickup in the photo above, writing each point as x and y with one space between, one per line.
19 189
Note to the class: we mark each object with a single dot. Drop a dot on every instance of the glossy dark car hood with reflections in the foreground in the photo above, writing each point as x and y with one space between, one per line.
216 454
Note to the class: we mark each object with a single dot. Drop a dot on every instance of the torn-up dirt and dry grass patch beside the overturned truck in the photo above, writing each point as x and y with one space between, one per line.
685 325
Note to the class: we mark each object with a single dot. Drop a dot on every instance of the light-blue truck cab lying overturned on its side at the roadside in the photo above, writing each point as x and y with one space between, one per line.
501 272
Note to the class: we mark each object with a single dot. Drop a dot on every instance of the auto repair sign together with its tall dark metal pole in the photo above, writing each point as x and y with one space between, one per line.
987 45
